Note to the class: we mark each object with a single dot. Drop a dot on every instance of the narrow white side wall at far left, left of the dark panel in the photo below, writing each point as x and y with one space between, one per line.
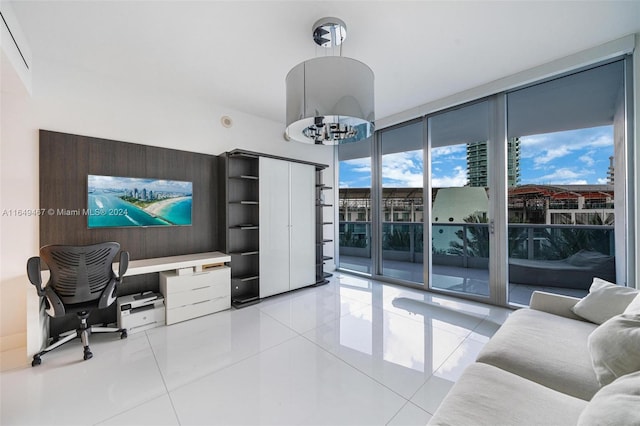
18 192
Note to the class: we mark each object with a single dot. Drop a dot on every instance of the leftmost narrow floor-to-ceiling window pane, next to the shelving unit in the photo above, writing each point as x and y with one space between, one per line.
354 207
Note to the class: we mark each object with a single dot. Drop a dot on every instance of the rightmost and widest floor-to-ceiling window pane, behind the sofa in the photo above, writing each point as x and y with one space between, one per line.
562 210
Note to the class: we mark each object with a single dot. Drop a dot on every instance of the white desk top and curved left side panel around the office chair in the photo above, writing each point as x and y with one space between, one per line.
37 324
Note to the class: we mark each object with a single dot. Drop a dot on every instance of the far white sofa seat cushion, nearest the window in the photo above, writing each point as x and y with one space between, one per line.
547 349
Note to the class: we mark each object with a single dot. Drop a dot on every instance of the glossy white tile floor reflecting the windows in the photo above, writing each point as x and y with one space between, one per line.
354 351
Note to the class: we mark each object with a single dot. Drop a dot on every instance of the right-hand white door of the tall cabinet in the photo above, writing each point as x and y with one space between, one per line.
303 225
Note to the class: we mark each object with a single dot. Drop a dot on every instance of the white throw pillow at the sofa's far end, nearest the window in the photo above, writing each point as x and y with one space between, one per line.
605 300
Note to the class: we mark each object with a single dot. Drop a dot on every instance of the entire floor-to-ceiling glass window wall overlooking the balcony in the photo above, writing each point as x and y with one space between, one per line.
524 190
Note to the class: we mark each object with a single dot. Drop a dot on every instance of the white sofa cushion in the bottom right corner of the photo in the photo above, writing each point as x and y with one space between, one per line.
615 404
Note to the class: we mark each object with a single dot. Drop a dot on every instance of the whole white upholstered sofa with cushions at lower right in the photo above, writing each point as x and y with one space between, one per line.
549 365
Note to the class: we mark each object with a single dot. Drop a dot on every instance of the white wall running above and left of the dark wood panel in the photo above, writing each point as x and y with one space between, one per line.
75 101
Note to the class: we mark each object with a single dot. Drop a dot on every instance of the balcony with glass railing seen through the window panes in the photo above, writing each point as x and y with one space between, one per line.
460 254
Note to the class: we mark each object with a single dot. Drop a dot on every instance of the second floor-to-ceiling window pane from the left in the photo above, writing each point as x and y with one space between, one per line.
402 201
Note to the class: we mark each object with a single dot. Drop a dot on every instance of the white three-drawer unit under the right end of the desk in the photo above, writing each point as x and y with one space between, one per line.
191 296
